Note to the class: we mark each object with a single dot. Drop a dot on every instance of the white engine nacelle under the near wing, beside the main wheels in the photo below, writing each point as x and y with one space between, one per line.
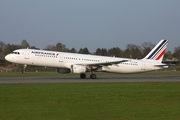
78 69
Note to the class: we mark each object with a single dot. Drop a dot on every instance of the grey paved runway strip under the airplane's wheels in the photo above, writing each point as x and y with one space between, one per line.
76 79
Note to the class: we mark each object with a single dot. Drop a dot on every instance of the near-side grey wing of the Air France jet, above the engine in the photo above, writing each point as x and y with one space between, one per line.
104 63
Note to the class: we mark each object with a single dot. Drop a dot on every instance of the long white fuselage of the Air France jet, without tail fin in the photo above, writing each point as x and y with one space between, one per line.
65 60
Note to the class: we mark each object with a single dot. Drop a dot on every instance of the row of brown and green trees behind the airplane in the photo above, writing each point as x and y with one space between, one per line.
131 51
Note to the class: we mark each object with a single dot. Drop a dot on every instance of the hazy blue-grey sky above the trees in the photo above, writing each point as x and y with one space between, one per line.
90 23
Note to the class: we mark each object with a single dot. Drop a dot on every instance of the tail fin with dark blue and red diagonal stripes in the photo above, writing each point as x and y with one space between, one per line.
157 53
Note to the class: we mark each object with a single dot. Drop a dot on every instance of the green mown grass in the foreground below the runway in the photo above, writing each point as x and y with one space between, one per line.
92 101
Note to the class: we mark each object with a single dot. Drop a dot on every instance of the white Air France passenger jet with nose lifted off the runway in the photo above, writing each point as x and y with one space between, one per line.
81 63
